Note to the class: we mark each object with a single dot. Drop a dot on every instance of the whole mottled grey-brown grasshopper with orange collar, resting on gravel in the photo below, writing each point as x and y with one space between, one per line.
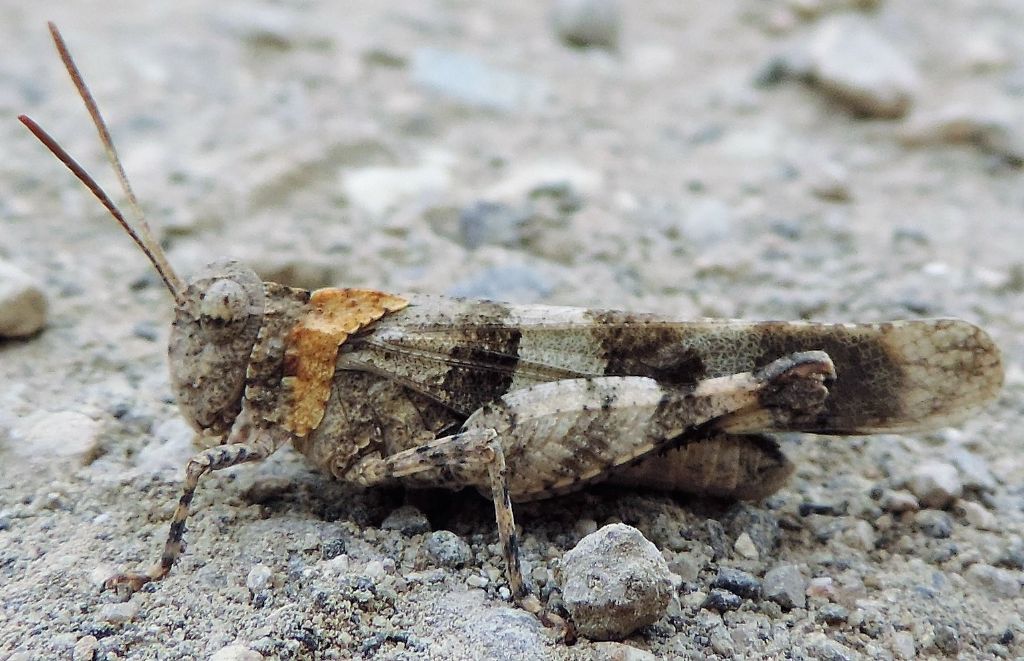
525 402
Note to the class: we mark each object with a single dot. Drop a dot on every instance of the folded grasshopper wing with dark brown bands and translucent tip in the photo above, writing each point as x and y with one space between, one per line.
892 377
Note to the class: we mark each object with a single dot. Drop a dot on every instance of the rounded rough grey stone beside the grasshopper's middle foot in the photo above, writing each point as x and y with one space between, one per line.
614 583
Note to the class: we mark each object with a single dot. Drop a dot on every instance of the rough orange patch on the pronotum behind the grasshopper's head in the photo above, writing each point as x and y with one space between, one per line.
314 344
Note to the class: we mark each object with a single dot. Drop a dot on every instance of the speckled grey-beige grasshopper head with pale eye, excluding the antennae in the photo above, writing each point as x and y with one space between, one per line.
216 327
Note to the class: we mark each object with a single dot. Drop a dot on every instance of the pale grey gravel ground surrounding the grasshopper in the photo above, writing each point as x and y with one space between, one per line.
815 159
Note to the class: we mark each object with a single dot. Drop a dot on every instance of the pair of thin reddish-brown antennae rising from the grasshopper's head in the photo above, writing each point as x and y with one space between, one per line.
144 237
